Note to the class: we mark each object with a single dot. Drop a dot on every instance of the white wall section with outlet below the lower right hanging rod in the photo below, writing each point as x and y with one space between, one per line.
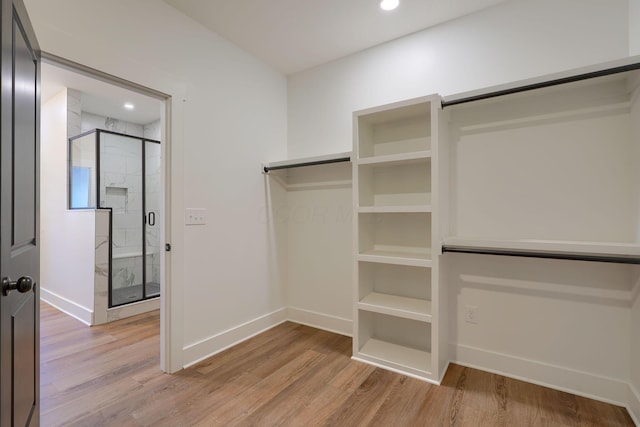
550 321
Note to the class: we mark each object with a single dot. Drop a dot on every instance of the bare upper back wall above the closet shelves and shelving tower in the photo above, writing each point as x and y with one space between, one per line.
512 41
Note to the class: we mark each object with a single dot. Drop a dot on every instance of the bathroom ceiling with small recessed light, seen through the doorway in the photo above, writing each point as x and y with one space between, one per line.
99 97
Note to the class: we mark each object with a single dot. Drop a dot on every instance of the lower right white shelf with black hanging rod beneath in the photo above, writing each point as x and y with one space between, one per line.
557 249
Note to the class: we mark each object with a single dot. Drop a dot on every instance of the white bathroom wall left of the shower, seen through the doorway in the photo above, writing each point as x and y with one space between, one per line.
66 237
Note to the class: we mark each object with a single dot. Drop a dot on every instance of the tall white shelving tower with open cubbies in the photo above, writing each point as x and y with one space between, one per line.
397 238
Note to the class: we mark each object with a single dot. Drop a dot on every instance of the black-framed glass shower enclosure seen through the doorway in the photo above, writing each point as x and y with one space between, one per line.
110 170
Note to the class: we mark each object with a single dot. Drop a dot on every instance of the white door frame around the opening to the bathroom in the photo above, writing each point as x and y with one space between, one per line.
170 360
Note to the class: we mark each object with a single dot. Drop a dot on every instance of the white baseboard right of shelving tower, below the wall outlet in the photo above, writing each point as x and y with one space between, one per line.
605 389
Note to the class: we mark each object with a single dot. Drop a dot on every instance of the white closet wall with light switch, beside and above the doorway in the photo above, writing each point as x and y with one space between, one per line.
228 116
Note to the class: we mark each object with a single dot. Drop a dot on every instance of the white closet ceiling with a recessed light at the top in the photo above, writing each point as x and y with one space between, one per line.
293 35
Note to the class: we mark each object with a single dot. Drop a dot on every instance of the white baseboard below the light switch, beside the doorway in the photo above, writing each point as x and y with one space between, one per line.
208 347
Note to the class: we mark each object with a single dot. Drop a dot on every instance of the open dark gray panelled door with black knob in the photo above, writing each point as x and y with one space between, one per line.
19 218
